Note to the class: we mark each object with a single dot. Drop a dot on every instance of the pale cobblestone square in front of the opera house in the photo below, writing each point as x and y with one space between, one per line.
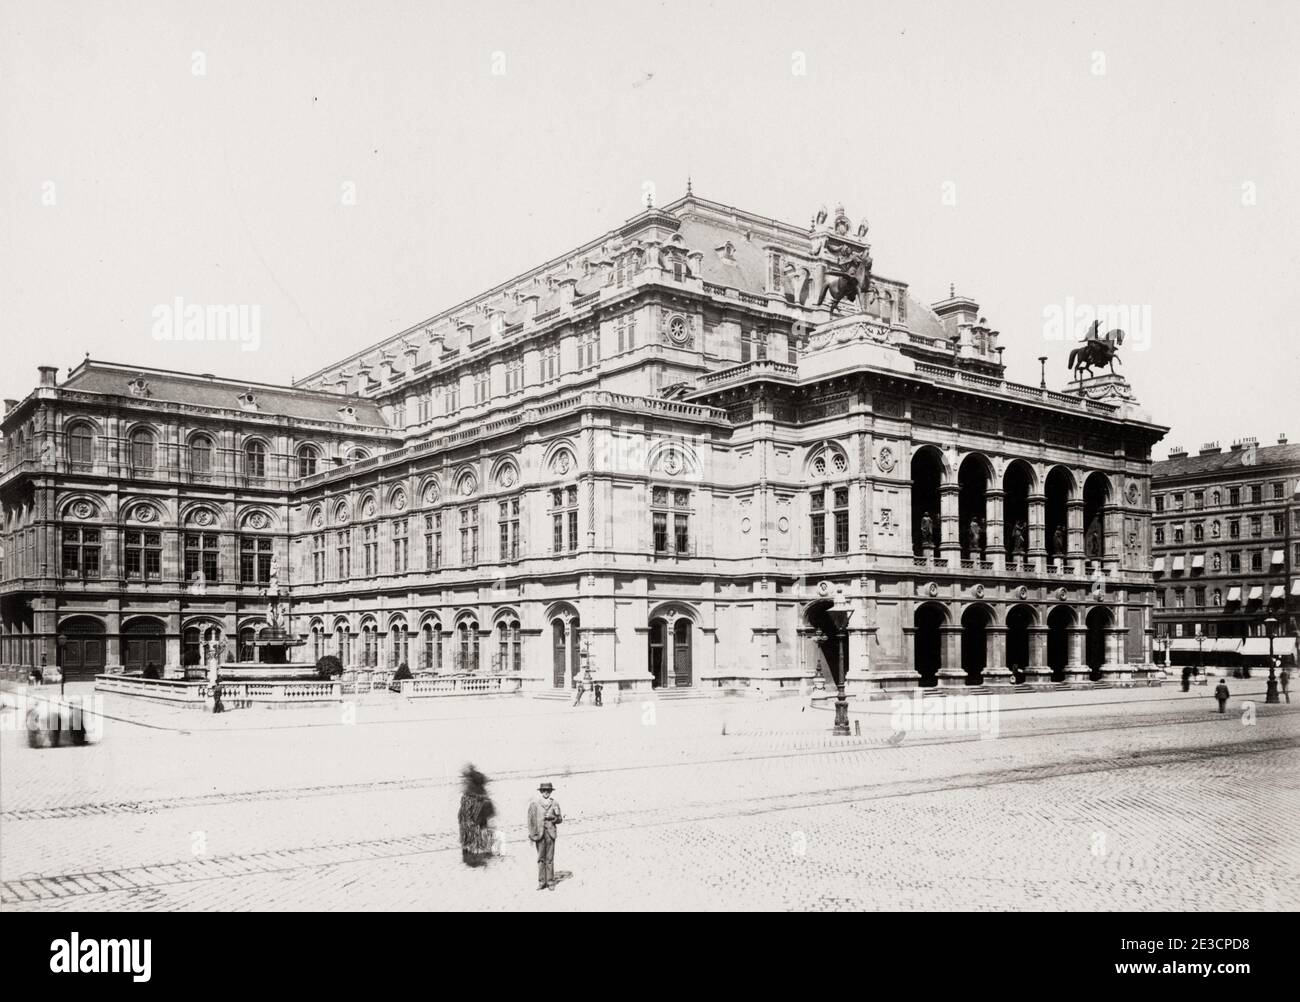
1120 801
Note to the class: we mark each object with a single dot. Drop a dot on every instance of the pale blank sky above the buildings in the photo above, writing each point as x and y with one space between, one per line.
1138 154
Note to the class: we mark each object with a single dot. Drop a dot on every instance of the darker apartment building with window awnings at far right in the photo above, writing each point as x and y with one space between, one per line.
1228 548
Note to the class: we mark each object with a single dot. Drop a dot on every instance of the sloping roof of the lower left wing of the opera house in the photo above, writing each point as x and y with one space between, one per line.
203 391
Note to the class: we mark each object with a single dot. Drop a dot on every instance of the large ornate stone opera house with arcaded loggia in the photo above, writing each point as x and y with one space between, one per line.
657 457
